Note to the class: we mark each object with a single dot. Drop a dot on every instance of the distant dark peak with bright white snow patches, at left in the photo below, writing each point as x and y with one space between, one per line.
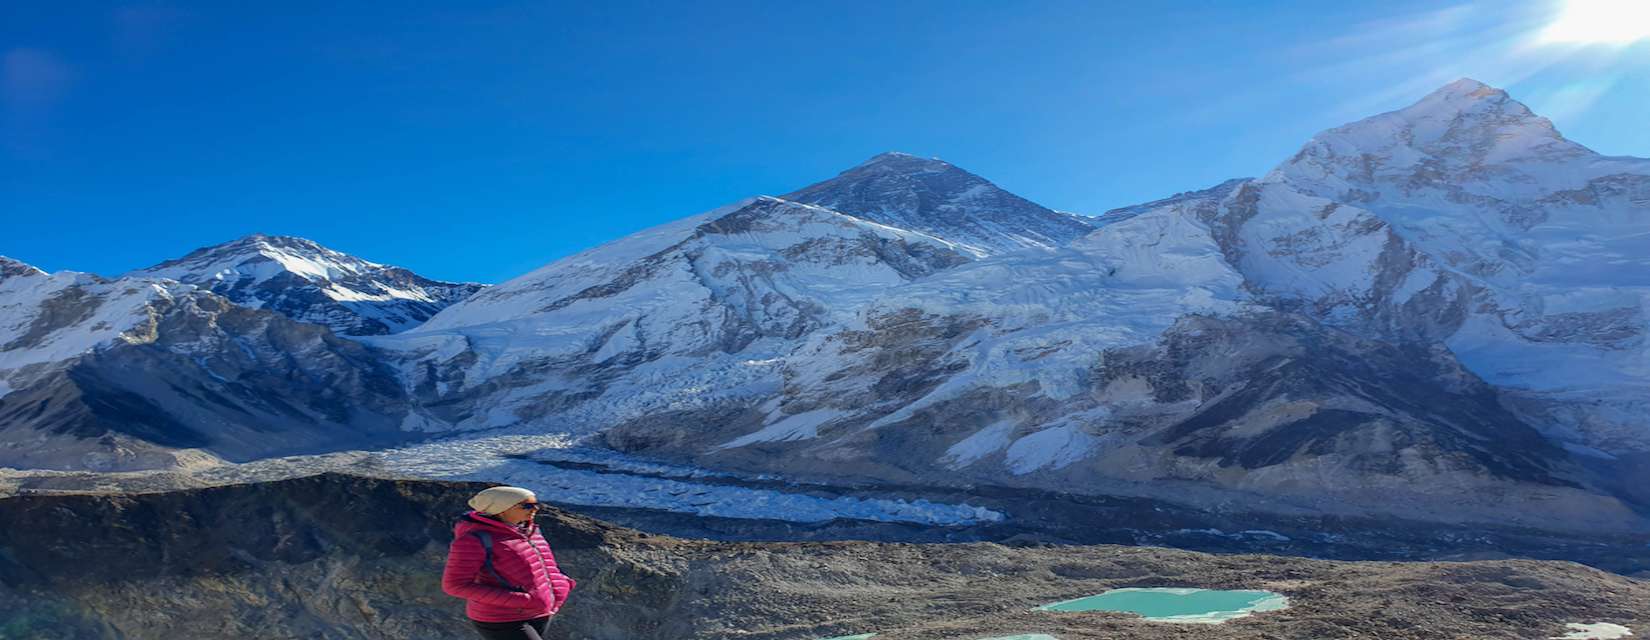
309 283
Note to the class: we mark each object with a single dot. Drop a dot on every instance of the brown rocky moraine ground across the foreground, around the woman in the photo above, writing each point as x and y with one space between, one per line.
339 557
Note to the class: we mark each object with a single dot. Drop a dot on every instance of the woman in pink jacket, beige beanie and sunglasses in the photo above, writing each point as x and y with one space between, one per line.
502 567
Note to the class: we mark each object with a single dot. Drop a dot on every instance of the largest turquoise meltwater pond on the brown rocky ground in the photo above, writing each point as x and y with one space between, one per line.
1189 606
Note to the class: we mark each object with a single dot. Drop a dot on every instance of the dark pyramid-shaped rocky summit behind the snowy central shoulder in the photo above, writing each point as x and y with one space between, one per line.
941 200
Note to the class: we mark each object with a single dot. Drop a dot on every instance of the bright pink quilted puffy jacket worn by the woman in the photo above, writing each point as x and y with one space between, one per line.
522 560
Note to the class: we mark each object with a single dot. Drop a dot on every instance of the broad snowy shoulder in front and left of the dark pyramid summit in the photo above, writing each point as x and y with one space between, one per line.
684 316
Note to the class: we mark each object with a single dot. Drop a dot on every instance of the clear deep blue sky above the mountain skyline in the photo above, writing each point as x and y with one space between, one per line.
476 141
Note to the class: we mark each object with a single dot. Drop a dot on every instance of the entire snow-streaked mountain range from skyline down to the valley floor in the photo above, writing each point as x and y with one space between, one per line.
1436 314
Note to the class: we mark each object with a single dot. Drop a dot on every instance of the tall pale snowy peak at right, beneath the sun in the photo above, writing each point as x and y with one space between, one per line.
1468 219
